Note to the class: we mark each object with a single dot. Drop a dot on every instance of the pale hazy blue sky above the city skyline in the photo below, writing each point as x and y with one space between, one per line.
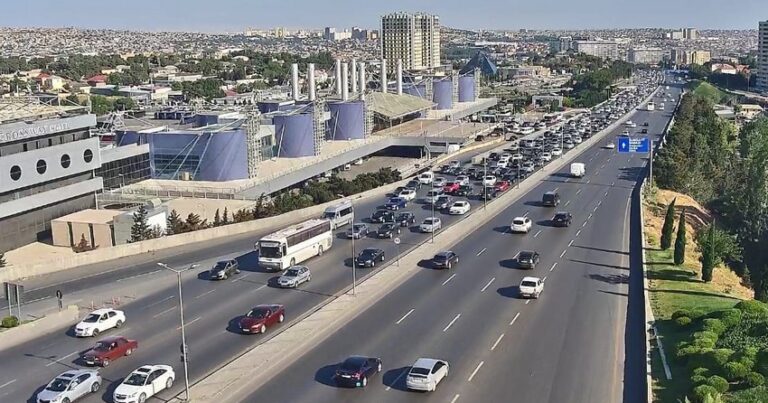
234 15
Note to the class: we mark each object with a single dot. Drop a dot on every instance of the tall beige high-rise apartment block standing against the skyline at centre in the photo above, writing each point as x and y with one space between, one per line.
412 38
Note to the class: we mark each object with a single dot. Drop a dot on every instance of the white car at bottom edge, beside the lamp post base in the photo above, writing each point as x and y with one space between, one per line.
144 383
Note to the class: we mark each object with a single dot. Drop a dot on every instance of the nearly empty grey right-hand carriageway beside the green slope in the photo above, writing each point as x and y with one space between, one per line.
568 346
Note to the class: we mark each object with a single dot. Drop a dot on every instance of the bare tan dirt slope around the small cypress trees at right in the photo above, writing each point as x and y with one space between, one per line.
723 280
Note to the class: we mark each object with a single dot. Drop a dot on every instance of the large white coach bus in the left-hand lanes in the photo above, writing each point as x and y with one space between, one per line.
295 244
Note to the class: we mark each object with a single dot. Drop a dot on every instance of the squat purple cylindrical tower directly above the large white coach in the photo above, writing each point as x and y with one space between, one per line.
294 135
